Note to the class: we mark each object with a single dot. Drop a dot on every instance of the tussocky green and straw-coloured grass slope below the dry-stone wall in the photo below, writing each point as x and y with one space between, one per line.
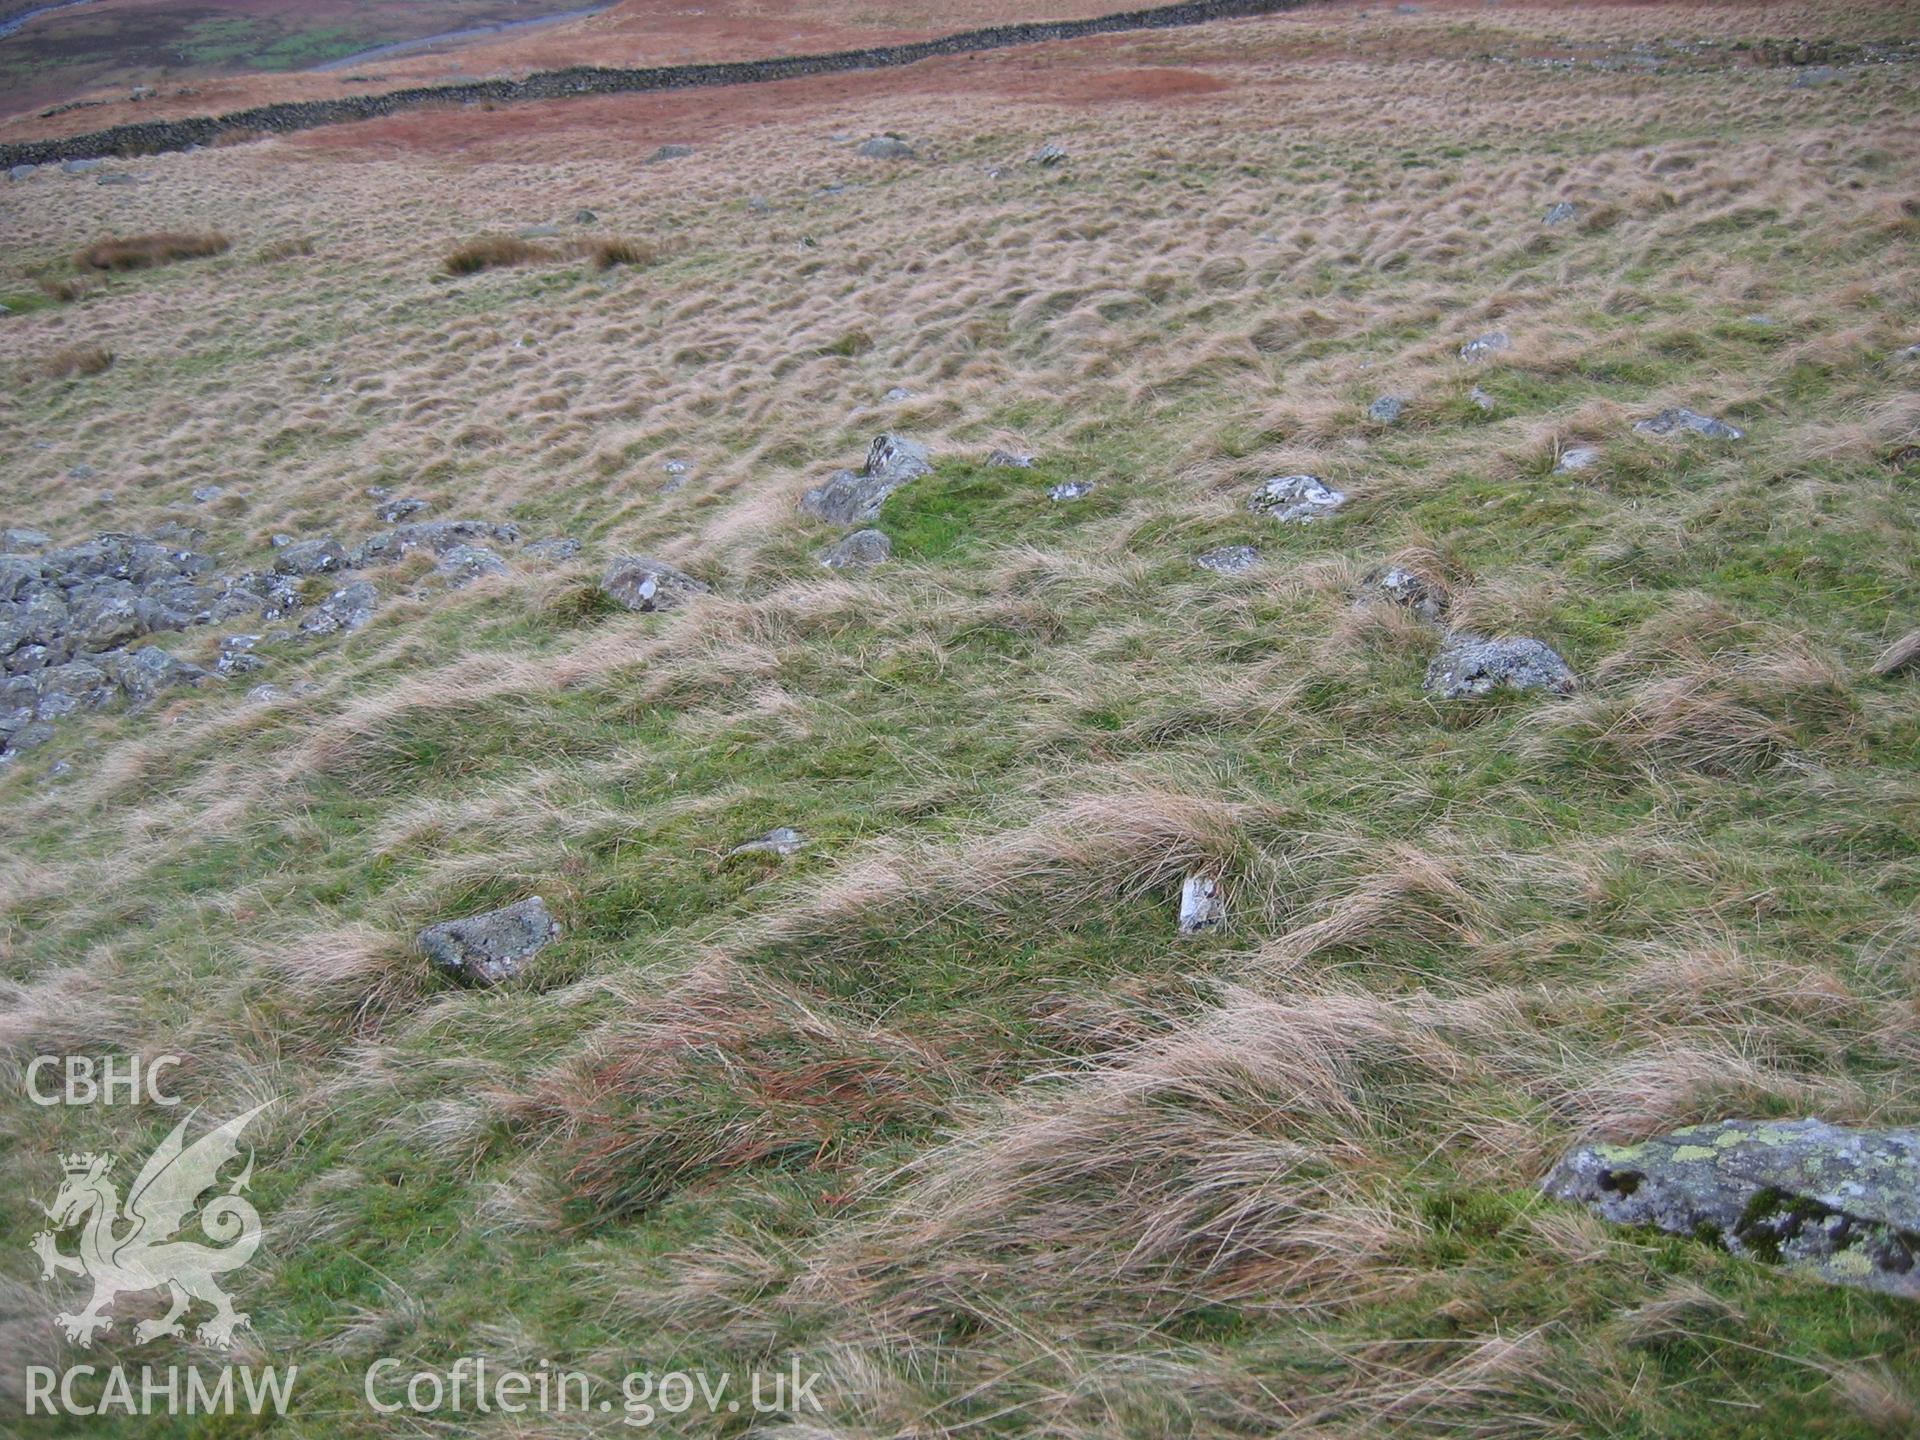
944 1105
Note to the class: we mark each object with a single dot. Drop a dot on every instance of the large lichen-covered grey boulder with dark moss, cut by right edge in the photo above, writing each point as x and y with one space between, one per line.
1835 1203
